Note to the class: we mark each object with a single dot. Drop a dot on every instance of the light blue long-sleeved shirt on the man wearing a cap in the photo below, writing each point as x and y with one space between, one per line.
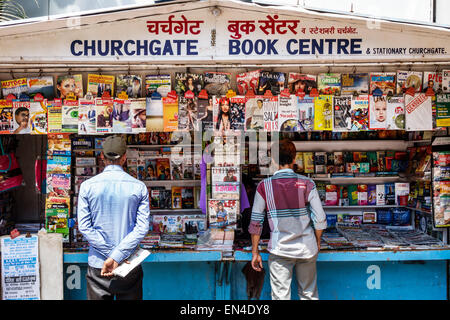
113 215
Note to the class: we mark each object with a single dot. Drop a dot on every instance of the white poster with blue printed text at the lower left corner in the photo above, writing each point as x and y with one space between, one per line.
20 268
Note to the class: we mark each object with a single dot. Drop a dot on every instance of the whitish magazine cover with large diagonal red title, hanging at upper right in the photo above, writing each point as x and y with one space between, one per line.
418 112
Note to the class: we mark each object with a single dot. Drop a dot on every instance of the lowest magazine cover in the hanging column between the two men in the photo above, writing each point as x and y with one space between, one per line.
222 213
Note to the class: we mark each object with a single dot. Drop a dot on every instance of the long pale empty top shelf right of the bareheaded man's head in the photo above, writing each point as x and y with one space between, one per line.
351 145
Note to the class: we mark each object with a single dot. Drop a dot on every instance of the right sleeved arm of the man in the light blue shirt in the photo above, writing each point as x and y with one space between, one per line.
128 244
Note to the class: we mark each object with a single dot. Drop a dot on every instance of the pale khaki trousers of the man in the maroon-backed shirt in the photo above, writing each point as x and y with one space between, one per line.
281 271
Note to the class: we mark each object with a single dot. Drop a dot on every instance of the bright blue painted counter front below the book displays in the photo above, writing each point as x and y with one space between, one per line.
204 275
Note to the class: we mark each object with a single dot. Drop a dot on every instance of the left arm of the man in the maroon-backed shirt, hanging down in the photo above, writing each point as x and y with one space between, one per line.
255 229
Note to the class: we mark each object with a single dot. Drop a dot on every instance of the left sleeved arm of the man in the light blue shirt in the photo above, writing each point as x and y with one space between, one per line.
95 238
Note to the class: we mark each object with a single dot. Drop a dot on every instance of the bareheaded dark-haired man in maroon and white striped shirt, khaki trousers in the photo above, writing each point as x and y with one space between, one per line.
293 207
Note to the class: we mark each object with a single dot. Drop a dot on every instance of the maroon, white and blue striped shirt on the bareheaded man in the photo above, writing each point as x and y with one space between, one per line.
293 205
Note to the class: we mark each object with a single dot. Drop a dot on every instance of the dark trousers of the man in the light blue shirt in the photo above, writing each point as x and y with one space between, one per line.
108 288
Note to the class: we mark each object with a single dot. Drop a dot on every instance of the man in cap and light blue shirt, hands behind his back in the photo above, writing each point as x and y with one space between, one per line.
114 216
